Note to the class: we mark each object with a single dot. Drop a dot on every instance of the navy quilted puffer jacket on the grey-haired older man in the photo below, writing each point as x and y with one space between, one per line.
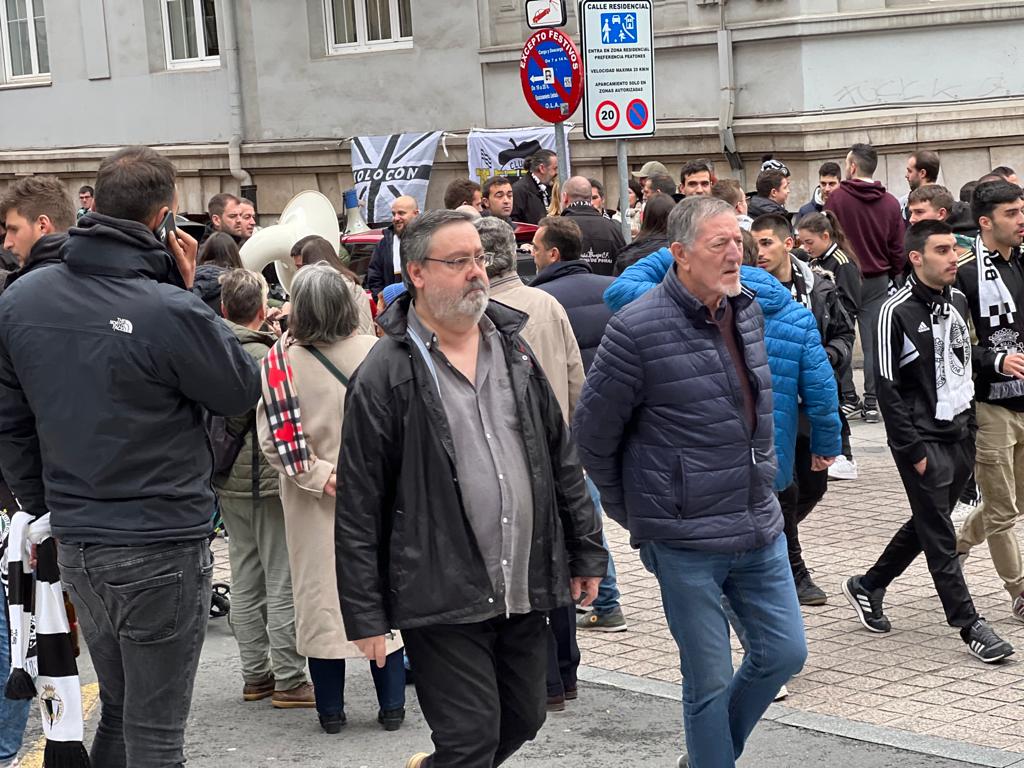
662 431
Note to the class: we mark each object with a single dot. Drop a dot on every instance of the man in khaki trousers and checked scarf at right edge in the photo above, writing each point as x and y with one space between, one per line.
993 279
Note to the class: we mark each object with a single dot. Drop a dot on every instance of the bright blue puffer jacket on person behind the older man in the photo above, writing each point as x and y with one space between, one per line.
800 370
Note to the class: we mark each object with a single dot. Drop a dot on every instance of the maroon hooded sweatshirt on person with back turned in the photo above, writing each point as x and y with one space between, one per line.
874 225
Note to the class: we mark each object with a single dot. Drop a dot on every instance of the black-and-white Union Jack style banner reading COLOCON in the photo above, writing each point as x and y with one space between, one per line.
388 167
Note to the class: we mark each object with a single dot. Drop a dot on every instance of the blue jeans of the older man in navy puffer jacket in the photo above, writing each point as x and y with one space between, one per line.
720 709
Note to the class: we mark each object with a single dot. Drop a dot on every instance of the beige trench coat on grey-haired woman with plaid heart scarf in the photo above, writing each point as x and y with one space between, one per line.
309 511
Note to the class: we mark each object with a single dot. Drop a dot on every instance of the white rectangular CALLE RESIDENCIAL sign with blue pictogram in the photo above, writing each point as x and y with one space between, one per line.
619 68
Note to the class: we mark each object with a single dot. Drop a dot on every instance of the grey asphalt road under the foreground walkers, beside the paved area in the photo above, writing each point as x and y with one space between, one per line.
605 729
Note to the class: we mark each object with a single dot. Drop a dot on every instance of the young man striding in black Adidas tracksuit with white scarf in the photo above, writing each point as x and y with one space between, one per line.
926 395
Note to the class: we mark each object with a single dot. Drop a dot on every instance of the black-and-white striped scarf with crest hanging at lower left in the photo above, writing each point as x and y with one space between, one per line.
42 659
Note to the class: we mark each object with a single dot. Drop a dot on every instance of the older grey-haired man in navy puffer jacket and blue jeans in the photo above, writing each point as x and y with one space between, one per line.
675 428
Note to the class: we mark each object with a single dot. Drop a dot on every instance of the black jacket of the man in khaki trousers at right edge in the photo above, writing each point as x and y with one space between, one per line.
996 342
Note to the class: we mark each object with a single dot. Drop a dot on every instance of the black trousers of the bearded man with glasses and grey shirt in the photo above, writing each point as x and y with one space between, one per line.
482 688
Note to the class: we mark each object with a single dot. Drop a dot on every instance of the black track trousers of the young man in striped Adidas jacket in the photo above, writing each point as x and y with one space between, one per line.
930 531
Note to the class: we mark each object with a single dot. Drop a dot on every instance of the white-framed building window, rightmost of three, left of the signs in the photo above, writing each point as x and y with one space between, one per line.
369 25
